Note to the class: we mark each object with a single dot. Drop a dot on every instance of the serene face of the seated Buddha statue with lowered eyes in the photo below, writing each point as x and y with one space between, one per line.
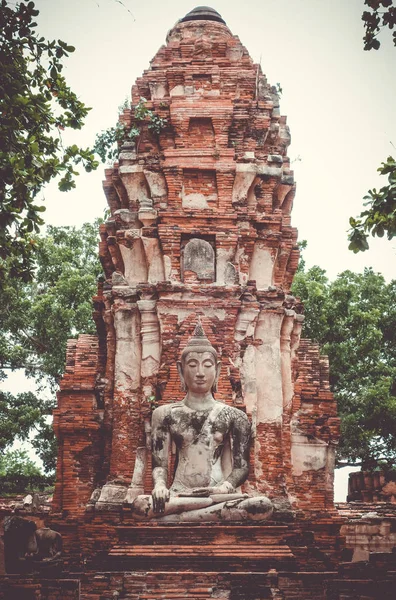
199 371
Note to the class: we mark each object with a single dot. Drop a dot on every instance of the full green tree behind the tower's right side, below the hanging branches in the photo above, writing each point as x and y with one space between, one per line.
353 319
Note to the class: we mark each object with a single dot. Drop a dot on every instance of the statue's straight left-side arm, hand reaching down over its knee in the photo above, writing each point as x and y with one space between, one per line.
160 451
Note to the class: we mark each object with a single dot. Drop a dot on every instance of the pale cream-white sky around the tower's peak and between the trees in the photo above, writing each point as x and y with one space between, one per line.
340 102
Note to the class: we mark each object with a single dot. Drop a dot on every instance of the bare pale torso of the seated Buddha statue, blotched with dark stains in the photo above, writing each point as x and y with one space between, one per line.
202 438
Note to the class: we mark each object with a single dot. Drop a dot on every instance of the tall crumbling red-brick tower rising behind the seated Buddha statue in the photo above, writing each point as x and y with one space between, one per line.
200 226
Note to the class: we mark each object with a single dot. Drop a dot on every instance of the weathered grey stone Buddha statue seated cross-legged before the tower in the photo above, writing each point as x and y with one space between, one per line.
212 441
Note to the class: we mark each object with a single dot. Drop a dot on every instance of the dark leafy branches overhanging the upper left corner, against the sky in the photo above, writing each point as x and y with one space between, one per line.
36 105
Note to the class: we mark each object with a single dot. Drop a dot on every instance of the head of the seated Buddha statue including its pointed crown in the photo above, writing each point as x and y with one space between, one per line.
199 367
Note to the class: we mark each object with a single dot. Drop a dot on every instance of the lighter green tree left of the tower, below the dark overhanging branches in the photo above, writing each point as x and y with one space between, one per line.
37 319
